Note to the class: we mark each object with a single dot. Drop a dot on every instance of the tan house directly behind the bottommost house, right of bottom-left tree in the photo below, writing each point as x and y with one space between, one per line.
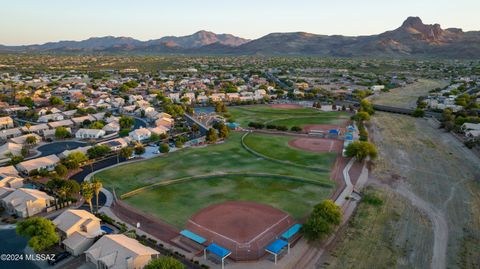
78 230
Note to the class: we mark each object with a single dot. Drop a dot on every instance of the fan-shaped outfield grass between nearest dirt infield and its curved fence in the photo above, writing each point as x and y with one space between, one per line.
178 202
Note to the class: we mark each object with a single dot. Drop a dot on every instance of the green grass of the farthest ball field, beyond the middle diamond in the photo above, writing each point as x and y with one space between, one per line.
287 117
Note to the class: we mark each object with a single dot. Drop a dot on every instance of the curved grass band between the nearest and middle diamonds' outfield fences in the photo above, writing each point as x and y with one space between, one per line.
228 157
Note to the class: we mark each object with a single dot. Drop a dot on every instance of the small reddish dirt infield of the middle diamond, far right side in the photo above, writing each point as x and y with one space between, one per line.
317 144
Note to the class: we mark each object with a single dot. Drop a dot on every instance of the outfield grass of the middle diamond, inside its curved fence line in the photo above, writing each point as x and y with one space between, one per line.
277 147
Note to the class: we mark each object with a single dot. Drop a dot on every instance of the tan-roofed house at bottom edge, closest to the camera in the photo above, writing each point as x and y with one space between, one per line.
120 252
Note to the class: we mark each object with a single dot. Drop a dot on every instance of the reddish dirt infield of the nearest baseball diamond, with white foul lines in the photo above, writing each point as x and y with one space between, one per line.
244 228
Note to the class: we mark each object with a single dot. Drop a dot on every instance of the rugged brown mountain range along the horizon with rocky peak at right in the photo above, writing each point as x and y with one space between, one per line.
412 39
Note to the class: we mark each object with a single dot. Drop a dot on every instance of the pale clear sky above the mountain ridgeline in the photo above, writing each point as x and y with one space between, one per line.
35 21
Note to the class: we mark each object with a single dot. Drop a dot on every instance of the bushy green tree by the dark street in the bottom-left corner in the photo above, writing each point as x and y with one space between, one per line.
41 232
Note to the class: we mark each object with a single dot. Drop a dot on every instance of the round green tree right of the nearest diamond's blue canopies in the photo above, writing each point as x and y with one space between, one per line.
322 221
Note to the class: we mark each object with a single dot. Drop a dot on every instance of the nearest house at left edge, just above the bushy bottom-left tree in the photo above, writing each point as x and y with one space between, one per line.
26 202
